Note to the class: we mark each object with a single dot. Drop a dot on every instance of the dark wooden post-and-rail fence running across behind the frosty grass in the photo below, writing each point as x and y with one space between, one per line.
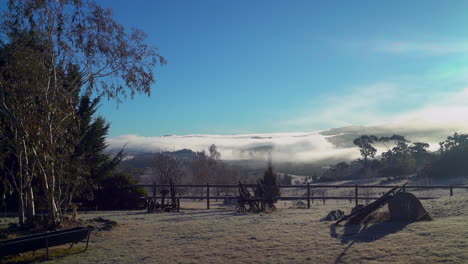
308 190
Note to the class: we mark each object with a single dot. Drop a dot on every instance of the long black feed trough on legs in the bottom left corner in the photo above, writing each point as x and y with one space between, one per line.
44 240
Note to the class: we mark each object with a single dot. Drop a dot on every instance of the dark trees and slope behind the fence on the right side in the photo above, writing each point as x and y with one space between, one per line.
402 158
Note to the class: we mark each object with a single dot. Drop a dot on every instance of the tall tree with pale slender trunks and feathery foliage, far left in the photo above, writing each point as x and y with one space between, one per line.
44 44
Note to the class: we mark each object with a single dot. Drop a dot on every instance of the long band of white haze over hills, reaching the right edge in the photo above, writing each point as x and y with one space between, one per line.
309 147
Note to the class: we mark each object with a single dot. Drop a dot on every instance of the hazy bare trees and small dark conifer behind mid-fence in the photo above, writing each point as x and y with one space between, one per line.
207 167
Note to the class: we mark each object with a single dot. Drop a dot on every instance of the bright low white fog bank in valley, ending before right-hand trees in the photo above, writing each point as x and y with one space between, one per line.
284 146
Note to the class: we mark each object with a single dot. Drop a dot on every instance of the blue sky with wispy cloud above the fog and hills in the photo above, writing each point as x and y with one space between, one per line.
294 66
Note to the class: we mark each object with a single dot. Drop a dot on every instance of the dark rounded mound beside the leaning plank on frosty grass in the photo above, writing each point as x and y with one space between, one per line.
405 207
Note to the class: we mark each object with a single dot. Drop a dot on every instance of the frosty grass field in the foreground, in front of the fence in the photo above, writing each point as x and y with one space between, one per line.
221 235
